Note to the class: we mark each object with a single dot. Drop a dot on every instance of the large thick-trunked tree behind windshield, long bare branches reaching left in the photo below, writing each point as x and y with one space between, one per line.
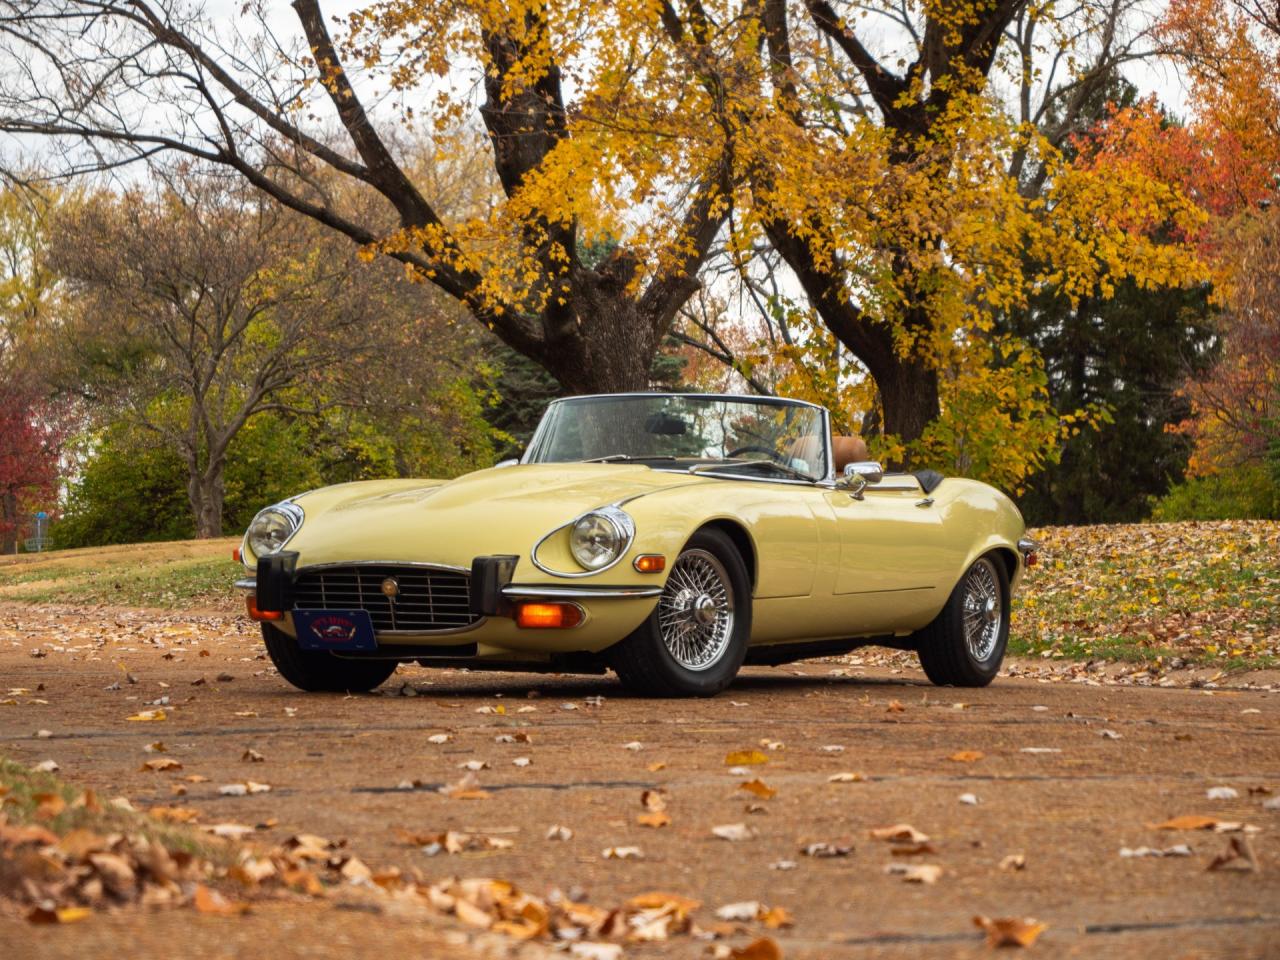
121 81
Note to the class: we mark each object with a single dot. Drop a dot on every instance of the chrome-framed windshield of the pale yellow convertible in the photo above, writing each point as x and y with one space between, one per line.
762 437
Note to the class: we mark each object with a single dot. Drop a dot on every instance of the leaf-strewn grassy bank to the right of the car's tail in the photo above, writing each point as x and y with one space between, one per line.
1171 595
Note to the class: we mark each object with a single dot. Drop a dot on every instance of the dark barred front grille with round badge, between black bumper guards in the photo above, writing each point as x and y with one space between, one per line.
426 598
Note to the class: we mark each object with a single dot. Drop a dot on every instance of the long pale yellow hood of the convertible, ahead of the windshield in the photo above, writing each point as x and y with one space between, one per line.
493 511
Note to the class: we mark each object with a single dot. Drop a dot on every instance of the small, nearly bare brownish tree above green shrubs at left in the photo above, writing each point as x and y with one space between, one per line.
205 305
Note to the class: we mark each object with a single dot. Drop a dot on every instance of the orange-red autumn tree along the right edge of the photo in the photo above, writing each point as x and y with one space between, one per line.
1227 157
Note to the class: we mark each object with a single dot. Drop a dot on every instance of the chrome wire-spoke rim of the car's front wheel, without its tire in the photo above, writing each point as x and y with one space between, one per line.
696 611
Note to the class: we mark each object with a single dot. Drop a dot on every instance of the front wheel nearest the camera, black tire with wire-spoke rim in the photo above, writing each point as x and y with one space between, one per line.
694 642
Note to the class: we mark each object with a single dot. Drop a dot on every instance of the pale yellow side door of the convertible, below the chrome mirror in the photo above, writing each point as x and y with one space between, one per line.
894 556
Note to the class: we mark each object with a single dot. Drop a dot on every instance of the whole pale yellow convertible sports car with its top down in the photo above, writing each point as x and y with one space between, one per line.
671 538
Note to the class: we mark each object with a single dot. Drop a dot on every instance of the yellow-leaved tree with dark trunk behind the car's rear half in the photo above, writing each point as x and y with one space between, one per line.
909 200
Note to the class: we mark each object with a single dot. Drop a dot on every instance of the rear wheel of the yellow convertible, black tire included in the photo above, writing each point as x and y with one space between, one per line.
966 643
